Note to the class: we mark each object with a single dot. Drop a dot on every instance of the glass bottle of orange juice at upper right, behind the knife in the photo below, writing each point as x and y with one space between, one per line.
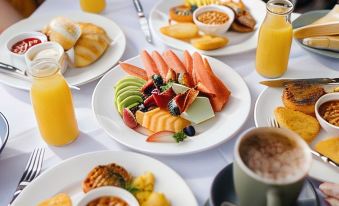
275 38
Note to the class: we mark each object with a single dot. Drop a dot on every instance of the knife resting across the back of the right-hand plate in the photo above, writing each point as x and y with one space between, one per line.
284 82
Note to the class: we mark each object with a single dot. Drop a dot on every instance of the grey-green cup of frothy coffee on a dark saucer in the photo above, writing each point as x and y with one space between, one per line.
270 166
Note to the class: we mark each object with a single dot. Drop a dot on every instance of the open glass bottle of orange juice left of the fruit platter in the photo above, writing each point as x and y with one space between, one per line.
52 102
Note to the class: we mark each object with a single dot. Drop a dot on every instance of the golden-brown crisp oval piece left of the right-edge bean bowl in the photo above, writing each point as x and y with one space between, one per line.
304 125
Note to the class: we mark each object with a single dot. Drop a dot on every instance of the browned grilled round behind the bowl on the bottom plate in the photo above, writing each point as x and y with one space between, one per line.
106 175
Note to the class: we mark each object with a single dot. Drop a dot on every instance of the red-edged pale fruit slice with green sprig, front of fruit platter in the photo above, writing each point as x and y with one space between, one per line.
167 137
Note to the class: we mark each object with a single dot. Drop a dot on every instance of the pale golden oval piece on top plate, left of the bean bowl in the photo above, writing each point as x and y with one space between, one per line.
181 30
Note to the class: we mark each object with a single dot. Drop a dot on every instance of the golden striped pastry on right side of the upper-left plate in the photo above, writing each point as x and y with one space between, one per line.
91 45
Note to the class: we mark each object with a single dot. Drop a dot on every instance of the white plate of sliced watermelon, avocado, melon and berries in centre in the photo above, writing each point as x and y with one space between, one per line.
171 103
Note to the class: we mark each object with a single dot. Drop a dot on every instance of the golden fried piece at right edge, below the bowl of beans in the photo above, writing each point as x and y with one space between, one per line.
330 148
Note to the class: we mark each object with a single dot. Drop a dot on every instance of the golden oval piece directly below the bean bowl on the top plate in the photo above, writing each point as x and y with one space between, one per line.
208 42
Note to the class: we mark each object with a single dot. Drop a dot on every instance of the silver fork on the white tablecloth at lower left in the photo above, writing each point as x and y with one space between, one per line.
32 170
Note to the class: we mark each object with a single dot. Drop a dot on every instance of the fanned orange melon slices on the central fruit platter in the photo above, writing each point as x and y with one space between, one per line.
158 120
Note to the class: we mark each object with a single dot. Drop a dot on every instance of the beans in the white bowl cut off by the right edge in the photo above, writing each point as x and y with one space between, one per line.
329 111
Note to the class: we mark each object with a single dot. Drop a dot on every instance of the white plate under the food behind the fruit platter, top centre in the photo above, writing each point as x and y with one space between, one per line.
239 42
